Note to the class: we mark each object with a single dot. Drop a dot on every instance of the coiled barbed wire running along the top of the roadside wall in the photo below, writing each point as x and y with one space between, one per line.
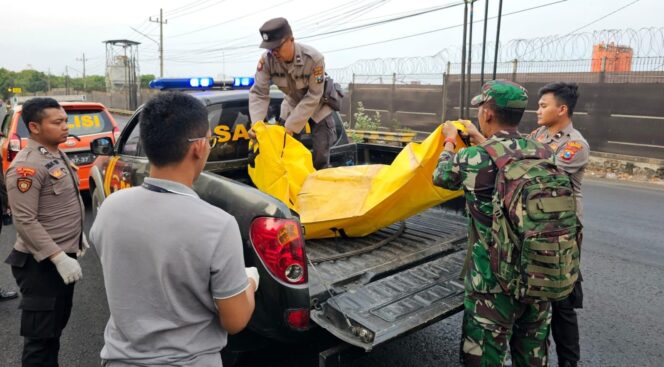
645 42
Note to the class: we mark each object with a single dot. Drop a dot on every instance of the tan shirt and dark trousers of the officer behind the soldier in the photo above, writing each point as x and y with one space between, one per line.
571 154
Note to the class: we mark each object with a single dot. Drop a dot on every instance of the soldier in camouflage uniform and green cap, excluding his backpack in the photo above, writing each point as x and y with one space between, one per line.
493 319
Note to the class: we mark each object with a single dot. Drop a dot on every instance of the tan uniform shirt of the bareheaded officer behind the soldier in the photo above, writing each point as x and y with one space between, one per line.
572 154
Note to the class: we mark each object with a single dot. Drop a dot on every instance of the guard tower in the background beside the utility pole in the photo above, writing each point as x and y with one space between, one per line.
122 72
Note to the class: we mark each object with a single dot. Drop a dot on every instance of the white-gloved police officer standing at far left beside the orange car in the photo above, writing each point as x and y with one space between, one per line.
48 214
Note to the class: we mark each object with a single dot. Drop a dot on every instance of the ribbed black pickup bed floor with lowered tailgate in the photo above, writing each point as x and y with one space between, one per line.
410 281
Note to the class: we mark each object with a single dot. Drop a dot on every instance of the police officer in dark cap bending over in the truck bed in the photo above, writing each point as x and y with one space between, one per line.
299 72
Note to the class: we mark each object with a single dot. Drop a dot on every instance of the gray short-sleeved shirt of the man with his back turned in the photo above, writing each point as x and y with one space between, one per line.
165 256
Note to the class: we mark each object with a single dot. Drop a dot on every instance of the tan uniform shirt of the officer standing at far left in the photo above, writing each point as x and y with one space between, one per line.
46 205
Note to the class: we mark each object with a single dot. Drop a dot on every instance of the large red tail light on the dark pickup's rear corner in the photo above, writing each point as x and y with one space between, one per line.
280 244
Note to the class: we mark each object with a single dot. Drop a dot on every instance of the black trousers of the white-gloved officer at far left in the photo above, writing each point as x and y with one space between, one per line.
45 307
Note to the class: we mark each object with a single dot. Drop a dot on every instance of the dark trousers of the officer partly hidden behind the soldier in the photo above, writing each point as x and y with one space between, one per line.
565 327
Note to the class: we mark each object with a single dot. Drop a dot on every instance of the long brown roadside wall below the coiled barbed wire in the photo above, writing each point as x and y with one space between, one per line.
619 118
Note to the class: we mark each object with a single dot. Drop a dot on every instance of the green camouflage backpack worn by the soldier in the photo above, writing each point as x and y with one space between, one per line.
534 252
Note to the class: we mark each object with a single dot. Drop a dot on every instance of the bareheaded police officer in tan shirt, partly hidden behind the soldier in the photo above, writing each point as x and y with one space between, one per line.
554 115
